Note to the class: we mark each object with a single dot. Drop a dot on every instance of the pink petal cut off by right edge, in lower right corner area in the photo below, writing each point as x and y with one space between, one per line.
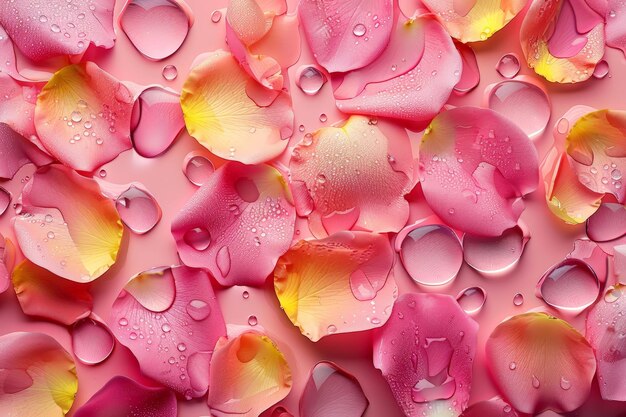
606 327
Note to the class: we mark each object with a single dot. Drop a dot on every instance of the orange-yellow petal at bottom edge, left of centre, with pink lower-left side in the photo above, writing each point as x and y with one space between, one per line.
248 375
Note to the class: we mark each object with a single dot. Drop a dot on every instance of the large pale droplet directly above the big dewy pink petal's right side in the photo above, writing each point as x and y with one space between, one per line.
523 103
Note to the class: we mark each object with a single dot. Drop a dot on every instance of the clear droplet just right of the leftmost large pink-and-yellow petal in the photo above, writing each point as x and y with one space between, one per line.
138 210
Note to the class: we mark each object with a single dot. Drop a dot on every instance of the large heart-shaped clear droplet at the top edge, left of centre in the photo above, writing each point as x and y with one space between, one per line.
139 18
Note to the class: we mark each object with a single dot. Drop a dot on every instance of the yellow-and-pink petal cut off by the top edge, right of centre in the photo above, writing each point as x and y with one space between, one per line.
474 20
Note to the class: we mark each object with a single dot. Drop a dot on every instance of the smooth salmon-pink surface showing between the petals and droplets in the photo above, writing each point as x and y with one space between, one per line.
550 240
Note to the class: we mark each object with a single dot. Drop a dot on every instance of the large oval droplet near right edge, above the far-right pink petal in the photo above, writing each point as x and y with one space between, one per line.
571 285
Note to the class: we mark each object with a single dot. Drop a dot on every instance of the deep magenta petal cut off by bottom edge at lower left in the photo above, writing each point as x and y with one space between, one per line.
123 397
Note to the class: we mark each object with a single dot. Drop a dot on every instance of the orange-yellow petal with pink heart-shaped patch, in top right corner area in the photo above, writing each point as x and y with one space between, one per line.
562 40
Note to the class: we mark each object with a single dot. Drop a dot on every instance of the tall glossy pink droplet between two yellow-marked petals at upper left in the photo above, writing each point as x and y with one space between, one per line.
159 121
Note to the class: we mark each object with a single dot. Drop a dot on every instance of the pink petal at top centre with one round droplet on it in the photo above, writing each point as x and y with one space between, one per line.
346 35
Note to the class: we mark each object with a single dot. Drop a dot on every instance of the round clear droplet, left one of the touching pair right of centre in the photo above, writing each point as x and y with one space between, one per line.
432 255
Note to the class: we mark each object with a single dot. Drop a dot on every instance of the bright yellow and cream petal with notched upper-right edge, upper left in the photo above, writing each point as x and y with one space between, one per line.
223 118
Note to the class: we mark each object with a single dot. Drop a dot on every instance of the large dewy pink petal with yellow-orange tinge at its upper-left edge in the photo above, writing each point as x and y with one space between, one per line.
475 166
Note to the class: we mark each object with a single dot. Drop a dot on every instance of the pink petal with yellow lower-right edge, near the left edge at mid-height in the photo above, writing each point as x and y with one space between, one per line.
66 226
